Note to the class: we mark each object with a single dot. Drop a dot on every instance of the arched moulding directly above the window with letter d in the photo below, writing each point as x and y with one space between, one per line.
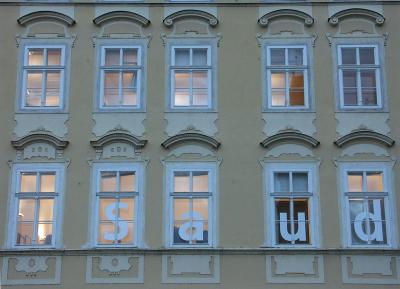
362 135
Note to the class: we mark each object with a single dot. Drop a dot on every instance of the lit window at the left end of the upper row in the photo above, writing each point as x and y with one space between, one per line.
43 77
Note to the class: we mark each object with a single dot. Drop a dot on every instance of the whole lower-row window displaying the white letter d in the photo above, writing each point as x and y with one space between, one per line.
366 205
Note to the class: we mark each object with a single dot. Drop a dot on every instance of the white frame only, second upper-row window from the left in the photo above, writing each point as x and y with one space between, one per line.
139 68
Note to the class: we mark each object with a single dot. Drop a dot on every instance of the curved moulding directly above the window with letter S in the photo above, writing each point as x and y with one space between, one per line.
118 136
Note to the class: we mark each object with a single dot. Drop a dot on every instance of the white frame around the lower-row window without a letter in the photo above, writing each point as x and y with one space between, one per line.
17 170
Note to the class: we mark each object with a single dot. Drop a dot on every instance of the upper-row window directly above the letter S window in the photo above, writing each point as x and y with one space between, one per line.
120 73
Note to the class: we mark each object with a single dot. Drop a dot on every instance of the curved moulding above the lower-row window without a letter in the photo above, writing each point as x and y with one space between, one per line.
39 137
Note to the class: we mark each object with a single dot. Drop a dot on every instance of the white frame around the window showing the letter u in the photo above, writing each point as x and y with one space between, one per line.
312 169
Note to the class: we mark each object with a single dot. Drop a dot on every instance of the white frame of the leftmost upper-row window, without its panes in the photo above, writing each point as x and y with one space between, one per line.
26 67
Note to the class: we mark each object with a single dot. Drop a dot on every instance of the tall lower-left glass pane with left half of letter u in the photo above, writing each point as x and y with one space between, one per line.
282 218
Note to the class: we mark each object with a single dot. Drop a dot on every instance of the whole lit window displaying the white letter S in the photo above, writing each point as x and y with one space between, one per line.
118 198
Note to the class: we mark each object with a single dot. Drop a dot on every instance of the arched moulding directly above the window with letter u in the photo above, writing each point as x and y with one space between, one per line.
289 136
